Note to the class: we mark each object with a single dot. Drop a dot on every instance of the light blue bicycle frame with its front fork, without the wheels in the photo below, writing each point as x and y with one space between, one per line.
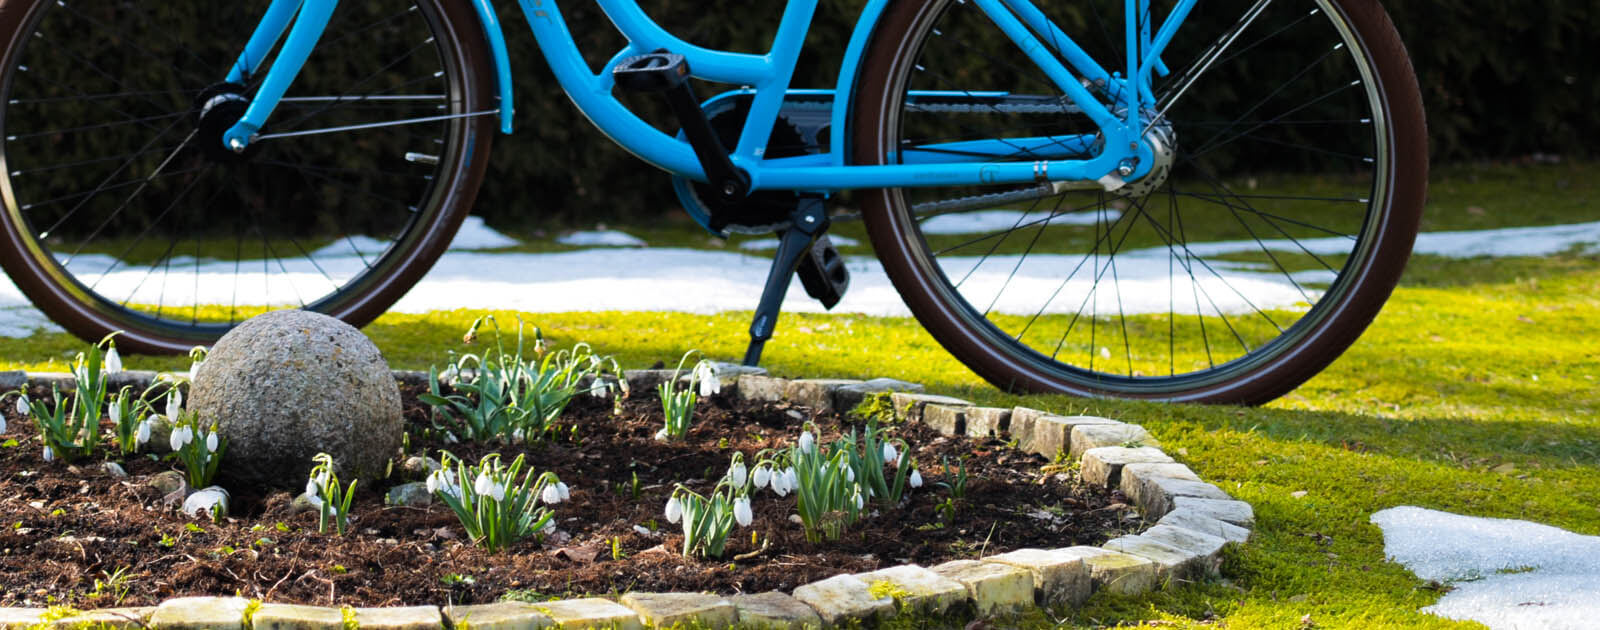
1122 122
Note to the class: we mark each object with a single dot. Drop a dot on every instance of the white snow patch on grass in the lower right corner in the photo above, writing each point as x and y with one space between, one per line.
1506 573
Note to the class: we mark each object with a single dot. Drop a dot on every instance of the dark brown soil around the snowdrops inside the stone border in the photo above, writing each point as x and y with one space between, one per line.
66 530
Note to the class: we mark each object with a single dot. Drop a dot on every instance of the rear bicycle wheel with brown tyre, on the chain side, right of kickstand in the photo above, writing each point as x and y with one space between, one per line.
1249 263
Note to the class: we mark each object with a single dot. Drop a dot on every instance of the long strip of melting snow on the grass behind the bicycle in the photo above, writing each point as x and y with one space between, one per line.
706 282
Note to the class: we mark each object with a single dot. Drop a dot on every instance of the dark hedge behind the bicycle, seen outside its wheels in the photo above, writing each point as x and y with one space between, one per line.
1498 79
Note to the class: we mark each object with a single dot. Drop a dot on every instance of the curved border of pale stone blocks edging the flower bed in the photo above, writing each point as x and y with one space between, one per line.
1194 522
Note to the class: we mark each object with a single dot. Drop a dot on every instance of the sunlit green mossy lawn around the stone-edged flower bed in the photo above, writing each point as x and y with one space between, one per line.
1474 393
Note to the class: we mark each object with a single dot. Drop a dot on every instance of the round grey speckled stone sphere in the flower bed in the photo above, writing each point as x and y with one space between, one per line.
289 385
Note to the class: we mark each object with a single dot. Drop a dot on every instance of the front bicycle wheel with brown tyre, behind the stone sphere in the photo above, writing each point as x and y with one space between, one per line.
122 217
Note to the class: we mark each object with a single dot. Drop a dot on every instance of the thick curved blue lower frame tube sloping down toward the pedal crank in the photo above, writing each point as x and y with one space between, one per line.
593 97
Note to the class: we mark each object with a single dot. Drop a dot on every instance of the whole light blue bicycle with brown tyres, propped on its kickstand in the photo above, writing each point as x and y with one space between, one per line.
1222 153
